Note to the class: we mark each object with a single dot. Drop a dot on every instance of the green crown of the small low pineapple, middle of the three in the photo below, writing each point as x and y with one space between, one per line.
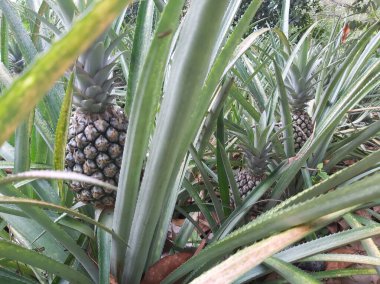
256 144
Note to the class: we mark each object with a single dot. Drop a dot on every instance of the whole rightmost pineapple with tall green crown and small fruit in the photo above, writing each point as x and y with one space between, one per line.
300 83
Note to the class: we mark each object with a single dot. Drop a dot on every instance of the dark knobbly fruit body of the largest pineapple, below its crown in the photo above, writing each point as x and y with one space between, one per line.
95 147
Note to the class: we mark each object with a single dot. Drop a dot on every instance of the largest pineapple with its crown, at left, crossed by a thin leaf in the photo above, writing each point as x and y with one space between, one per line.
97 127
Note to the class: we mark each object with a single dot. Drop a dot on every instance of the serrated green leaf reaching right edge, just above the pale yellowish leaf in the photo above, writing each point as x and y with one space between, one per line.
270 223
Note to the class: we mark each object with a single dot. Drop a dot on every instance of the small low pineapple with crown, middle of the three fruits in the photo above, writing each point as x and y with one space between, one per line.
257 149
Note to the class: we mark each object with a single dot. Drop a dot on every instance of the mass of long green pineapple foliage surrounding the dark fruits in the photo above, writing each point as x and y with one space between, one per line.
189 112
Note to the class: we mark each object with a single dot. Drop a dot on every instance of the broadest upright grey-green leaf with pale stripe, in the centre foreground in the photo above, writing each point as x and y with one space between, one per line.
186 78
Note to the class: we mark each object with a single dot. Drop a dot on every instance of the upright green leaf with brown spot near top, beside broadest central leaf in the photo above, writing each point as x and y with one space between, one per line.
143 112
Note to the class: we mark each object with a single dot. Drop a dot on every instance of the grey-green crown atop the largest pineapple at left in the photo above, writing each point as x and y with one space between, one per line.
94 80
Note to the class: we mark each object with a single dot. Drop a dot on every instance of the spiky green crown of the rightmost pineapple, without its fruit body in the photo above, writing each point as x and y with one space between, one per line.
300 80
